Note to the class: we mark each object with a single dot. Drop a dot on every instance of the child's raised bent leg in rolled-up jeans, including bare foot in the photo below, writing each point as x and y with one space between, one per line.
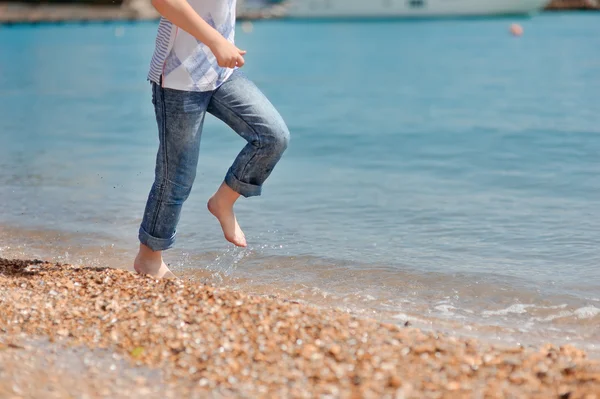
240 104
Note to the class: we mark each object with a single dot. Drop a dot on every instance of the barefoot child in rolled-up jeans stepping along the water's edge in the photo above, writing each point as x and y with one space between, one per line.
194 70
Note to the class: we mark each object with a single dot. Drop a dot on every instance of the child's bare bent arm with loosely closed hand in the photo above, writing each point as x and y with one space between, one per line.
183 15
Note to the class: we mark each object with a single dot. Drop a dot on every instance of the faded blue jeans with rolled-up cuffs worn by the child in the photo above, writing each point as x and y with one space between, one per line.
180 117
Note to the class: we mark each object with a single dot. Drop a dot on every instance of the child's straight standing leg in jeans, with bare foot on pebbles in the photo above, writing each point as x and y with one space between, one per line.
180 116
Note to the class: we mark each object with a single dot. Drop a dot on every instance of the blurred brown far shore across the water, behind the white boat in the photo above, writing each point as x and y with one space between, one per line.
23 13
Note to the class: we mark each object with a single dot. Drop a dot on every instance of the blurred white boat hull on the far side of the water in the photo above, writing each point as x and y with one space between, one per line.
410 8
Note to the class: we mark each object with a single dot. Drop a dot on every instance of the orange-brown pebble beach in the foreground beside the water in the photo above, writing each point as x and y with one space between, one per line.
69 331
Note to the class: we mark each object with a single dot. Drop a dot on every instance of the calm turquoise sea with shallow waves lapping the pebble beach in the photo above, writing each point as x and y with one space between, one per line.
442 172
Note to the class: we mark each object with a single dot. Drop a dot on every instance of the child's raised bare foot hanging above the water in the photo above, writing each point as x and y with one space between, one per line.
221 206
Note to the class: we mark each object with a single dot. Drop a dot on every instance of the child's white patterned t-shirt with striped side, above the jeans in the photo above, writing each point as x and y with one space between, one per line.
182 61
